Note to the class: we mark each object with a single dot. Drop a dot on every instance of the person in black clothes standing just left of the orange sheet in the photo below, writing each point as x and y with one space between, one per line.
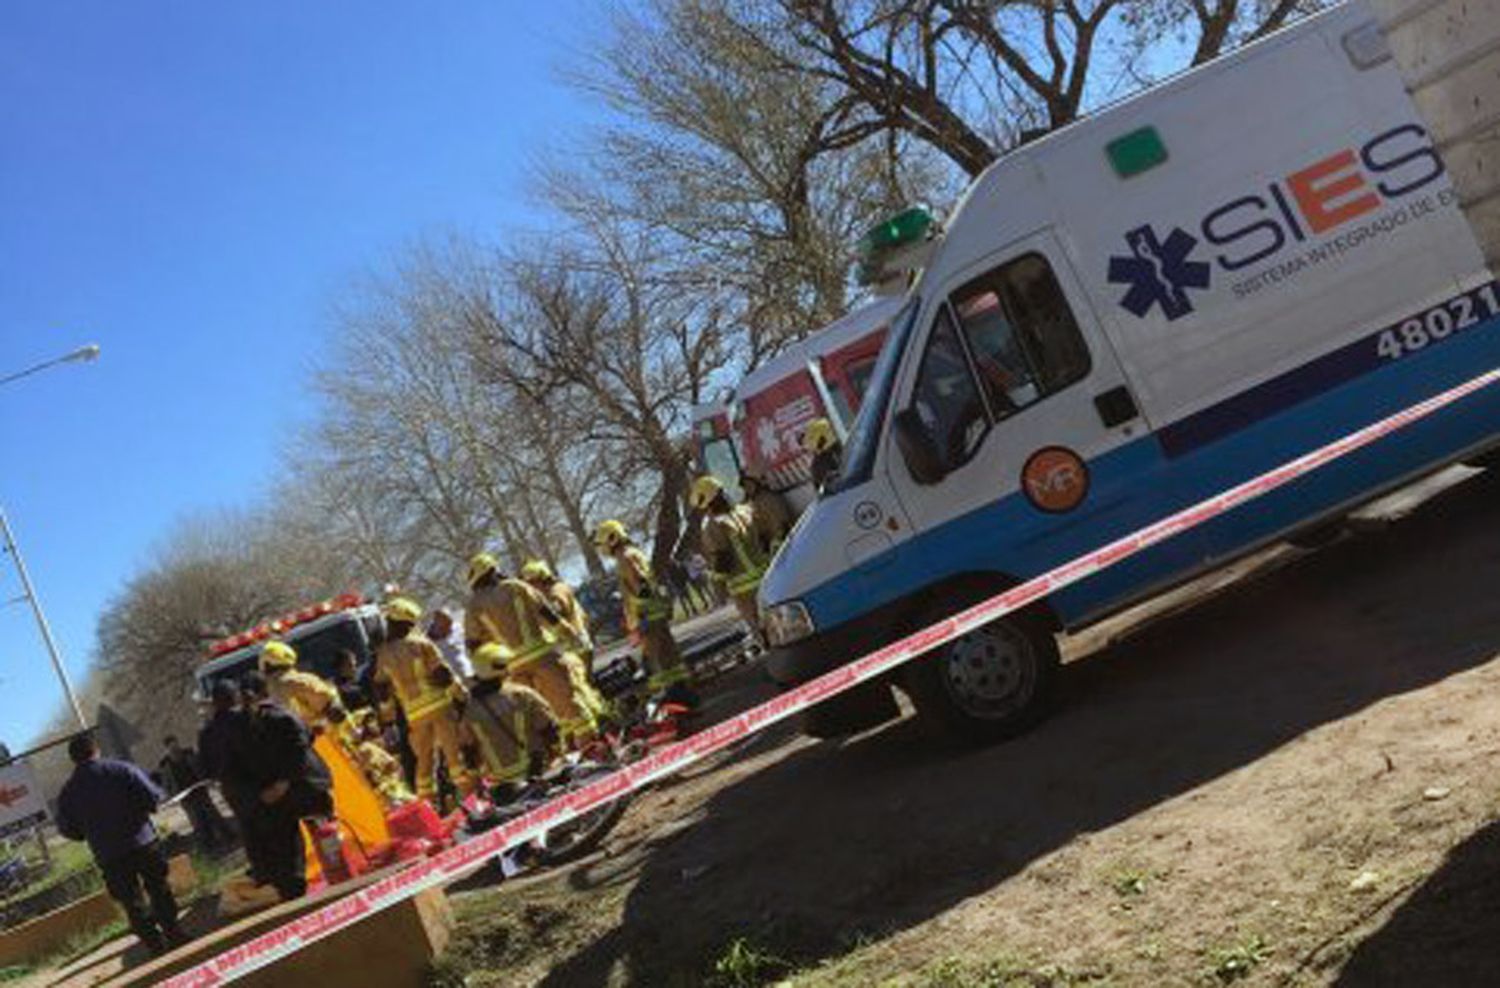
290 782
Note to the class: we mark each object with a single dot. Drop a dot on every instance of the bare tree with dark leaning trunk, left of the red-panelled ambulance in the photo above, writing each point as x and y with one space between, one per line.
590 326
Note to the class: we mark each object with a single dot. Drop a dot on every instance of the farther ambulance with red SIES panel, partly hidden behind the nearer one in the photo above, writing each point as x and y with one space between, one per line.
758 428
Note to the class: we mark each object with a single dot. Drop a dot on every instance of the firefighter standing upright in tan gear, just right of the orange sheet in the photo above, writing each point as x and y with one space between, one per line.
410 669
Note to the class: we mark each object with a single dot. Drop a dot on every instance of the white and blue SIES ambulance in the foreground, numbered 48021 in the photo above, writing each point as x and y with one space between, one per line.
1138 313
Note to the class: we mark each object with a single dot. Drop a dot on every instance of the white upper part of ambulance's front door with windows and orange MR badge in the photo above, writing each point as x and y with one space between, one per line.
1015 394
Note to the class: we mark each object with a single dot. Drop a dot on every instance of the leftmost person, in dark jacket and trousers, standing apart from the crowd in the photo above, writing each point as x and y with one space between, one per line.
110 806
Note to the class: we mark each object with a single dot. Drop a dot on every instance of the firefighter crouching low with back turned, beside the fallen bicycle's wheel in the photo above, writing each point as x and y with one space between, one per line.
512 726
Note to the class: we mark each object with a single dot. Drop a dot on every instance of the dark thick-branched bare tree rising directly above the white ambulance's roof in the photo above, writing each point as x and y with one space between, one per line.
977 77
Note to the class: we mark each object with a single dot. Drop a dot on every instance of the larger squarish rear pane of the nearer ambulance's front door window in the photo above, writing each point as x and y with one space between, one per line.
1022 334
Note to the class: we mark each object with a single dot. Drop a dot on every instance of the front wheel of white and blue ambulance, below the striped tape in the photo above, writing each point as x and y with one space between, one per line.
994 684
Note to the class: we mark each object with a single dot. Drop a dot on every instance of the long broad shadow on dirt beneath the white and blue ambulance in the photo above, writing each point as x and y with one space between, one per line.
835 843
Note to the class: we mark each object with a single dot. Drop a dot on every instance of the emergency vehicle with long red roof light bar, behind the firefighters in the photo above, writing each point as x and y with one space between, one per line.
319 632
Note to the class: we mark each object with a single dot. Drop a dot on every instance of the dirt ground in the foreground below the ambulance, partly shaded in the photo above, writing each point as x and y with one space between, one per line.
1291 783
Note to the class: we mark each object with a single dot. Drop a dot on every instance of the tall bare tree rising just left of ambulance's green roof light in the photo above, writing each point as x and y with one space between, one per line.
737 164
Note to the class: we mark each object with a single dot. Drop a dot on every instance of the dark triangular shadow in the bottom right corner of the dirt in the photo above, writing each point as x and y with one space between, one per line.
1447 933
